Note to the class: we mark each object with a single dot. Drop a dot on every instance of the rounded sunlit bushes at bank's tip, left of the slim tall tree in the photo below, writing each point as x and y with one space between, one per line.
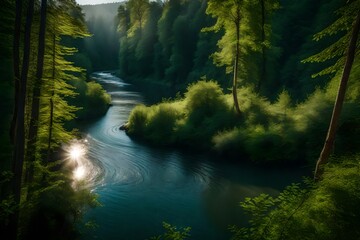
177 121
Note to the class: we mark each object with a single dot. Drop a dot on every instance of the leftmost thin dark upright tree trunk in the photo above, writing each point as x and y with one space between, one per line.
16 66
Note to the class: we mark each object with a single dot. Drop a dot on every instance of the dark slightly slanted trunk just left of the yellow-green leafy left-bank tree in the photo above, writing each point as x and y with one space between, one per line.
36 91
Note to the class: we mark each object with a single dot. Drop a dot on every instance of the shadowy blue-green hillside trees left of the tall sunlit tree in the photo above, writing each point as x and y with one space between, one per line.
165 47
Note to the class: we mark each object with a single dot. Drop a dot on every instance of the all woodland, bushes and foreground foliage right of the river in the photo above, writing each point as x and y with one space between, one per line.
257 80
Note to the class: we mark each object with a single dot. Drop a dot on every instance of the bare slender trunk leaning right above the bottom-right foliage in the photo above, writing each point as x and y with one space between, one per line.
330 138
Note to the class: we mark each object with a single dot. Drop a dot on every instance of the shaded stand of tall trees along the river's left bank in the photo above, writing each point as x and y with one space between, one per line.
39 88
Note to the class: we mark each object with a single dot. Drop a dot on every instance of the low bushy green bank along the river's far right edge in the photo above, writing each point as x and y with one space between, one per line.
265 132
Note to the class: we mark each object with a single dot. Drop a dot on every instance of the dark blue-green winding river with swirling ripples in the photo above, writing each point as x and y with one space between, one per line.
140 187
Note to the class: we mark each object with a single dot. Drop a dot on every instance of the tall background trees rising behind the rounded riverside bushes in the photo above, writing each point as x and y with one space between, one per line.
179 42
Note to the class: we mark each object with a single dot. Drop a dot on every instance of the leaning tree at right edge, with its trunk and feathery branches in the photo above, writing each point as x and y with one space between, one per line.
348 15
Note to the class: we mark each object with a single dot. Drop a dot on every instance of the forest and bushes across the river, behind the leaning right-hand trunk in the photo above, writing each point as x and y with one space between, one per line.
278 107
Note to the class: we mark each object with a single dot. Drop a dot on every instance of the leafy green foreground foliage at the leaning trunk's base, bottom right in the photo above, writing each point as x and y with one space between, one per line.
325 210
